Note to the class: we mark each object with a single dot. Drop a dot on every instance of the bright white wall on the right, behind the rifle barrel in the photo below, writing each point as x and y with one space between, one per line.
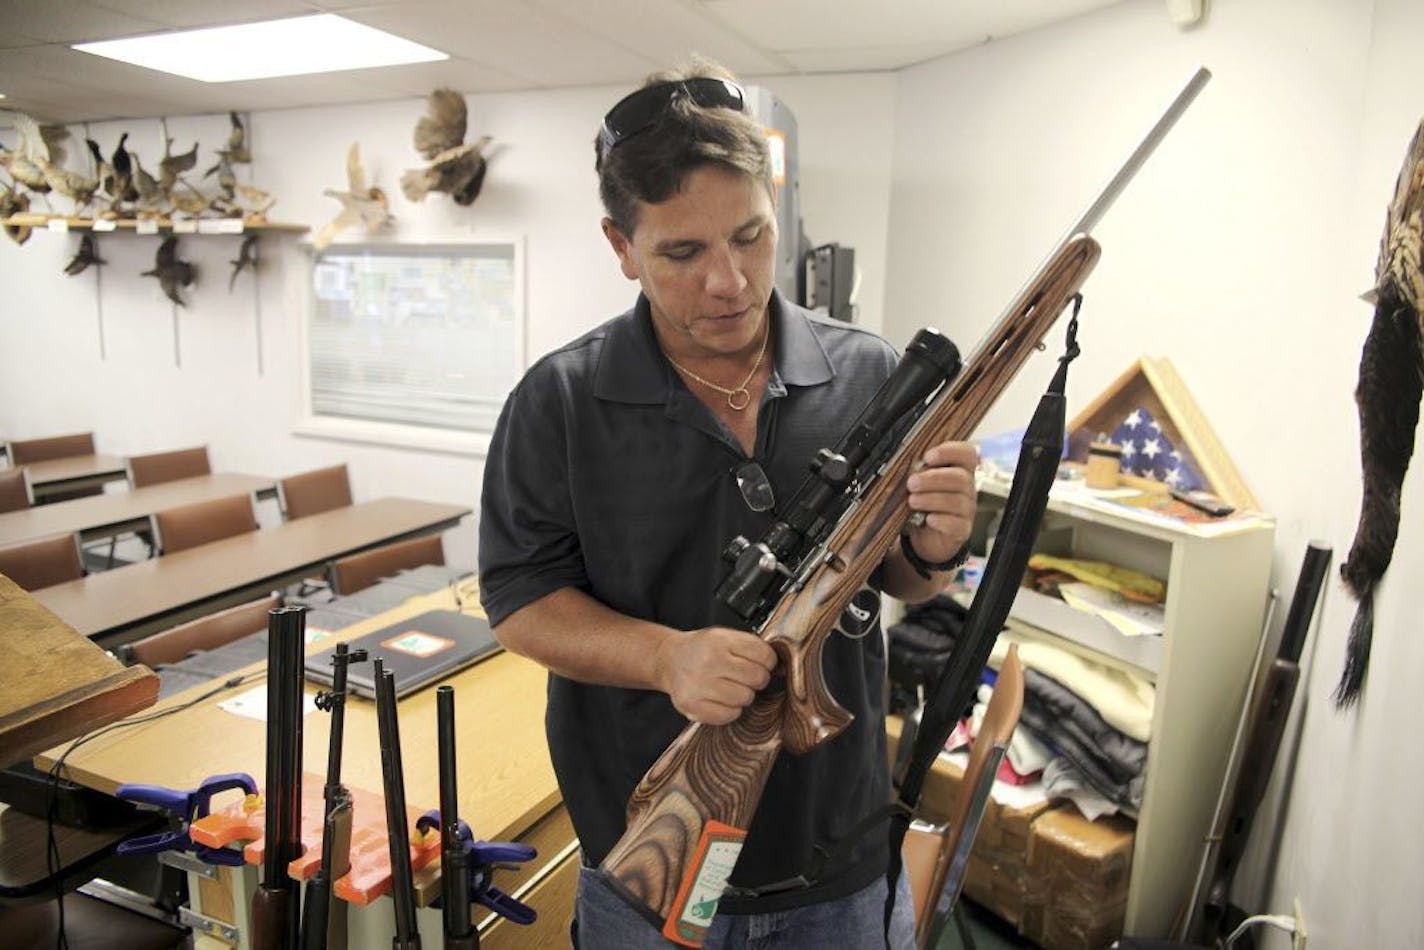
1238 253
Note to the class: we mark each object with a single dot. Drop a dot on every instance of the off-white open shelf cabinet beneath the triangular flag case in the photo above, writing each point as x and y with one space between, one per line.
1218 579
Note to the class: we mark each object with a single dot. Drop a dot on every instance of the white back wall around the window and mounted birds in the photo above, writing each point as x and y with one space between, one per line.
167 382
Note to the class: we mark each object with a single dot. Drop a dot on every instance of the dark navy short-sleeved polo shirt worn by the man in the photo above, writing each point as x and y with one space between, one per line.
607 475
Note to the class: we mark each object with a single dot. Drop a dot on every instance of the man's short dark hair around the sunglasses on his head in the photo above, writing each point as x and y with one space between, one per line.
651 167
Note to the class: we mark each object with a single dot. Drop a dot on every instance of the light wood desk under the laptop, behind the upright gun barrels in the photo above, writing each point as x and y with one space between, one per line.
506 787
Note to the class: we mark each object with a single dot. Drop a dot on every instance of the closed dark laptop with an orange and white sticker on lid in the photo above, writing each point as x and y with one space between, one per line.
418 652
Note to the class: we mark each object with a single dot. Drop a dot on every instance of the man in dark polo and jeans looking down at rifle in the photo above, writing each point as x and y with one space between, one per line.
623 465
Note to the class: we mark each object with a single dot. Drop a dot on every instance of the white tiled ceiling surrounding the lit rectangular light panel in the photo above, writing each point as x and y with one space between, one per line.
495 45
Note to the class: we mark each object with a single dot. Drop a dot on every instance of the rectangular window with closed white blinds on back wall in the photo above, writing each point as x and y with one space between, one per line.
414 343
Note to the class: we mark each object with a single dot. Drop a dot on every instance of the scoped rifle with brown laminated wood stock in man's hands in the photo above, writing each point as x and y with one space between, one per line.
690 814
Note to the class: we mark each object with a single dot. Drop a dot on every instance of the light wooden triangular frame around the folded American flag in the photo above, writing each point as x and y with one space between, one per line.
1153 385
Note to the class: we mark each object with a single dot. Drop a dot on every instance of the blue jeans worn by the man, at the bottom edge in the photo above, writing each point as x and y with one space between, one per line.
603 921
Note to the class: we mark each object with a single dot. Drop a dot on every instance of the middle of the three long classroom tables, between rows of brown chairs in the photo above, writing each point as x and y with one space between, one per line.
123 512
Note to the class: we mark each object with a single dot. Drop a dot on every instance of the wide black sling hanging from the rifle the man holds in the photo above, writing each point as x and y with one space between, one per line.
1015 543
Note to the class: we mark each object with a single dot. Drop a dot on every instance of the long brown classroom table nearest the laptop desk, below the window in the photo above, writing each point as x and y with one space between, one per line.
127 603
